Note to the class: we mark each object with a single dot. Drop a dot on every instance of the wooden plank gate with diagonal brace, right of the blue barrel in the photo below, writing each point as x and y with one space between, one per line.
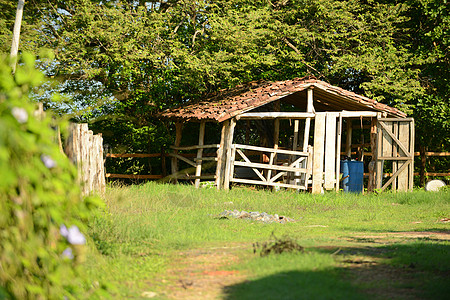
395 148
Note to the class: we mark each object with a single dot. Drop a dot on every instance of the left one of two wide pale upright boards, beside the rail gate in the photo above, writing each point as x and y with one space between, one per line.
319 139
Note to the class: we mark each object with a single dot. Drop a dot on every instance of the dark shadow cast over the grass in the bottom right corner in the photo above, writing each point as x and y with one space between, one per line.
405 271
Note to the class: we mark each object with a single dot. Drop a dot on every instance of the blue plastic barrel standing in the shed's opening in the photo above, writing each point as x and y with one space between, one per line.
352 174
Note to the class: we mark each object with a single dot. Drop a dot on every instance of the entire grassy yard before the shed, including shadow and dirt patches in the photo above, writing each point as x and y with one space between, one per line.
166 241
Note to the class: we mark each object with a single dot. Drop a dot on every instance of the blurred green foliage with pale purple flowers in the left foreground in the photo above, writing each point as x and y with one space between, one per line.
38 194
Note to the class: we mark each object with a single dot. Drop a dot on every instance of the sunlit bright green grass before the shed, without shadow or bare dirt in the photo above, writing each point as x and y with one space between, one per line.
144 226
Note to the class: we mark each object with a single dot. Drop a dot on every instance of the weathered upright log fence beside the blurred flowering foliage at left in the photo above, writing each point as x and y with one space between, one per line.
85 150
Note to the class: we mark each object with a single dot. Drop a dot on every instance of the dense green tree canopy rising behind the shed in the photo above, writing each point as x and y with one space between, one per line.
119 61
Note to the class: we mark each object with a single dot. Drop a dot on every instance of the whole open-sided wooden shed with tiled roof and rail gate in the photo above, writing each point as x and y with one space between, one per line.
320 122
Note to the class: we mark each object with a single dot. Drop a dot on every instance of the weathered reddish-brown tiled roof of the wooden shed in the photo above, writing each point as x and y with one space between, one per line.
230 103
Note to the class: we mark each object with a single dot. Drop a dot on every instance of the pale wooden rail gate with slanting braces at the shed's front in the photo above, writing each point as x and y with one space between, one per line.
270 174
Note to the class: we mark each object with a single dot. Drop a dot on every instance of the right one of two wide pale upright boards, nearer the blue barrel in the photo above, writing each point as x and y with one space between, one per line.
330 151
